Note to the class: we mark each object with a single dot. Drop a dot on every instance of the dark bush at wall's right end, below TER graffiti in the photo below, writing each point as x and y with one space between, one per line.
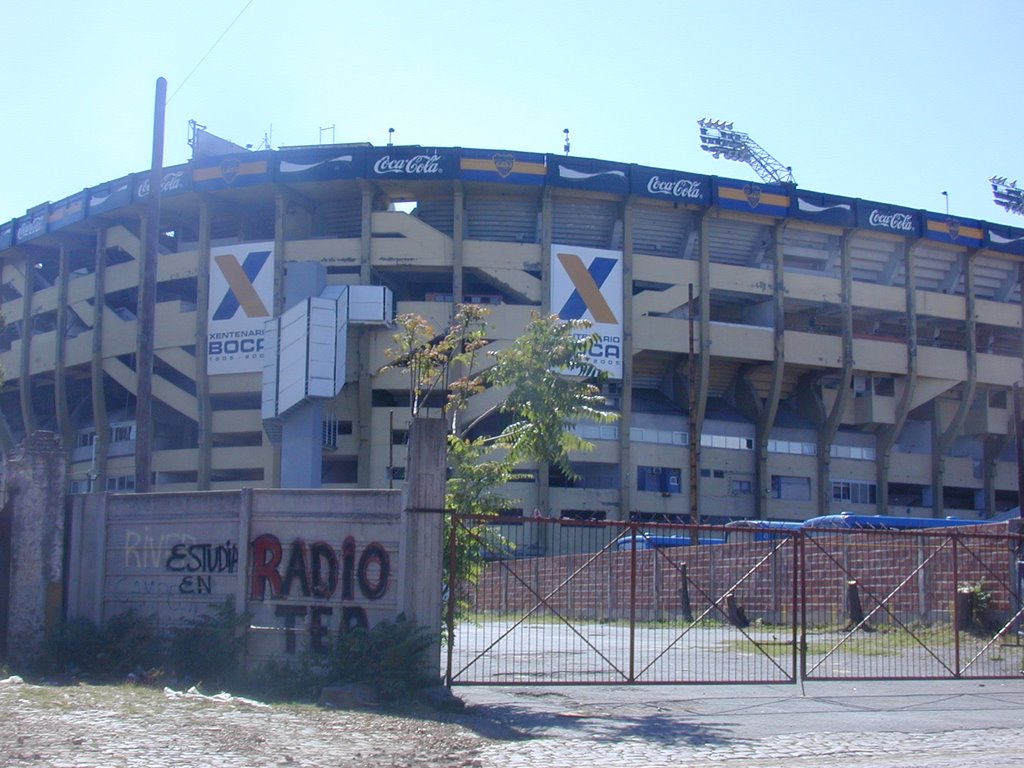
393 658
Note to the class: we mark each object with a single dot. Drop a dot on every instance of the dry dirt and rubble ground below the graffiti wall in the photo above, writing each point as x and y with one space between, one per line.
87 726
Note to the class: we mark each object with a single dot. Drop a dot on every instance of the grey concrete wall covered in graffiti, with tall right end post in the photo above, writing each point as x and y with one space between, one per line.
306 565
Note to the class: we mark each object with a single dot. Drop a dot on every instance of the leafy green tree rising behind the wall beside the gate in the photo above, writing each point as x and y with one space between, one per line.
550 387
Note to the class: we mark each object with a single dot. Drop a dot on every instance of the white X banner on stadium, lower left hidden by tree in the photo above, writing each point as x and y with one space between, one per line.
587 284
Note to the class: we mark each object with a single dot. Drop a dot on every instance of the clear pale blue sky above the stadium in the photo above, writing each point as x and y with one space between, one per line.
893 102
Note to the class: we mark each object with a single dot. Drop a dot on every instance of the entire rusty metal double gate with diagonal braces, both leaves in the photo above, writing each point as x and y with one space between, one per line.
617 603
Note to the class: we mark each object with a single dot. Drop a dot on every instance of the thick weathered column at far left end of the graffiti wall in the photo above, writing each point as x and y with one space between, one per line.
34 494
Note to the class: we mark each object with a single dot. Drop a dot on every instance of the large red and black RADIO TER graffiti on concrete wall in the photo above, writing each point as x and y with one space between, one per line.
314 574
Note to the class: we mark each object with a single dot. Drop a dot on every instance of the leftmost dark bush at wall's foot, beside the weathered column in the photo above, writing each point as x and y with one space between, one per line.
129 644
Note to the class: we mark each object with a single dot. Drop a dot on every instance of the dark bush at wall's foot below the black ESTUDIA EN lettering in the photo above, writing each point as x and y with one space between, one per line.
210 649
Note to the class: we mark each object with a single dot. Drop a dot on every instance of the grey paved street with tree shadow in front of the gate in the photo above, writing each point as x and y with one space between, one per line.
842 726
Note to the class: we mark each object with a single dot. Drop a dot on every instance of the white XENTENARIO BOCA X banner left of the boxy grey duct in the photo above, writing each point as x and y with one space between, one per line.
241 303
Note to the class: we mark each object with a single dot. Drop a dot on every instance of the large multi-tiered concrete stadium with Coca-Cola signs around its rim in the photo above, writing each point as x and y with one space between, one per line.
773 353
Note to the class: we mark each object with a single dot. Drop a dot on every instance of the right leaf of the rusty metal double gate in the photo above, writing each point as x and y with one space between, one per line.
928 605
